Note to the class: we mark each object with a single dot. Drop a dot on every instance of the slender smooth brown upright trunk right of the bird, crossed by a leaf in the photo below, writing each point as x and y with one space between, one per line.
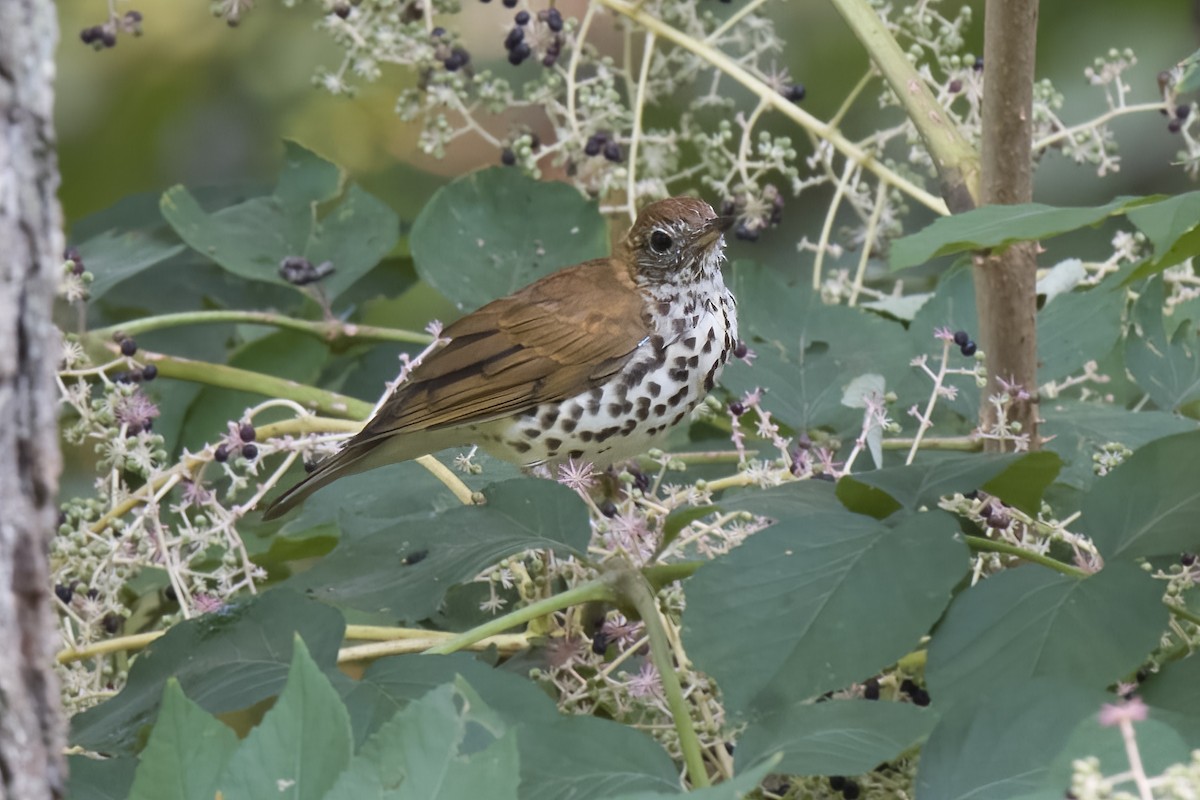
1006 282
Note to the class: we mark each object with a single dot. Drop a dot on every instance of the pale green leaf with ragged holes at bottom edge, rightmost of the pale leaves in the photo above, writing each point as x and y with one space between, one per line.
423 754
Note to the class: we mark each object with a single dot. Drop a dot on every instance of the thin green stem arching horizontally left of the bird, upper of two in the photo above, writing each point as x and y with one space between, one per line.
332 332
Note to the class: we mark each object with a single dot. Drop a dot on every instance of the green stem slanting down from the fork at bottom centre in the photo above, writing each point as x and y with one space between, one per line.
632 587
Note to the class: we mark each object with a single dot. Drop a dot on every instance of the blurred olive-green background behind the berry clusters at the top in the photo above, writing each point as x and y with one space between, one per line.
197 103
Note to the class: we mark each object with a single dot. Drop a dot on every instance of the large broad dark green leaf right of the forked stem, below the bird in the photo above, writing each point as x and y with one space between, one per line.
820 600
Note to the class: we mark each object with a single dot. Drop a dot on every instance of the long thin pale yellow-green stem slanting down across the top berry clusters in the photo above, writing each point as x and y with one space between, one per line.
778 103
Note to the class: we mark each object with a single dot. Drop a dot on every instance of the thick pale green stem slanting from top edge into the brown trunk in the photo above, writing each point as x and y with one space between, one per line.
957 161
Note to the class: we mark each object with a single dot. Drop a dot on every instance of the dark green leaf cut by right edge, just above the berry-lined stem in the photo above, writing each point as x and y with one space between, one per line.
1148 506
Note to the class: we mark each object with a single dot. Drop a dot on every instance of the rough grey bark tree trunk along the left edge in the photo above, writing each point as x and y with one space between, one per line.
32 737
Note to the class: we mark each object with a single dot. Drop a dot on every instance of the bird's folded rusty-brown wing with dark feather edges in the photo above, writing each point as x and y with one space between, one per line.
548 342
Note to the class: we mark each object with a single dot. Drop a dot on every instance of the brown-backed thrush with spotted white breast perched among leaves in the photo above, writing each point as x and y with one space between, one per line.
593 363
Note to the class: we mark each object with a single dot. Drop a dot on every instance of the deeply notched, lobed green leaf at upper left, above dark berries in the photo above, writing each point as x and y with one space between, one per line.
310 215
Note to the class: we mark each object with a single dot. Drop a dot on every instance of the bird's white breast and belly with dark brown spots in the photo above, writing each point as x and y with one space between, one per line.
667 377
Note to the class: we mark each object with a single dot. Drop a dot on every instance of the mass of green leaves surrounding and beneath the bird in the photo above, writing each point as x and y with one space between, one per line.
789 597
